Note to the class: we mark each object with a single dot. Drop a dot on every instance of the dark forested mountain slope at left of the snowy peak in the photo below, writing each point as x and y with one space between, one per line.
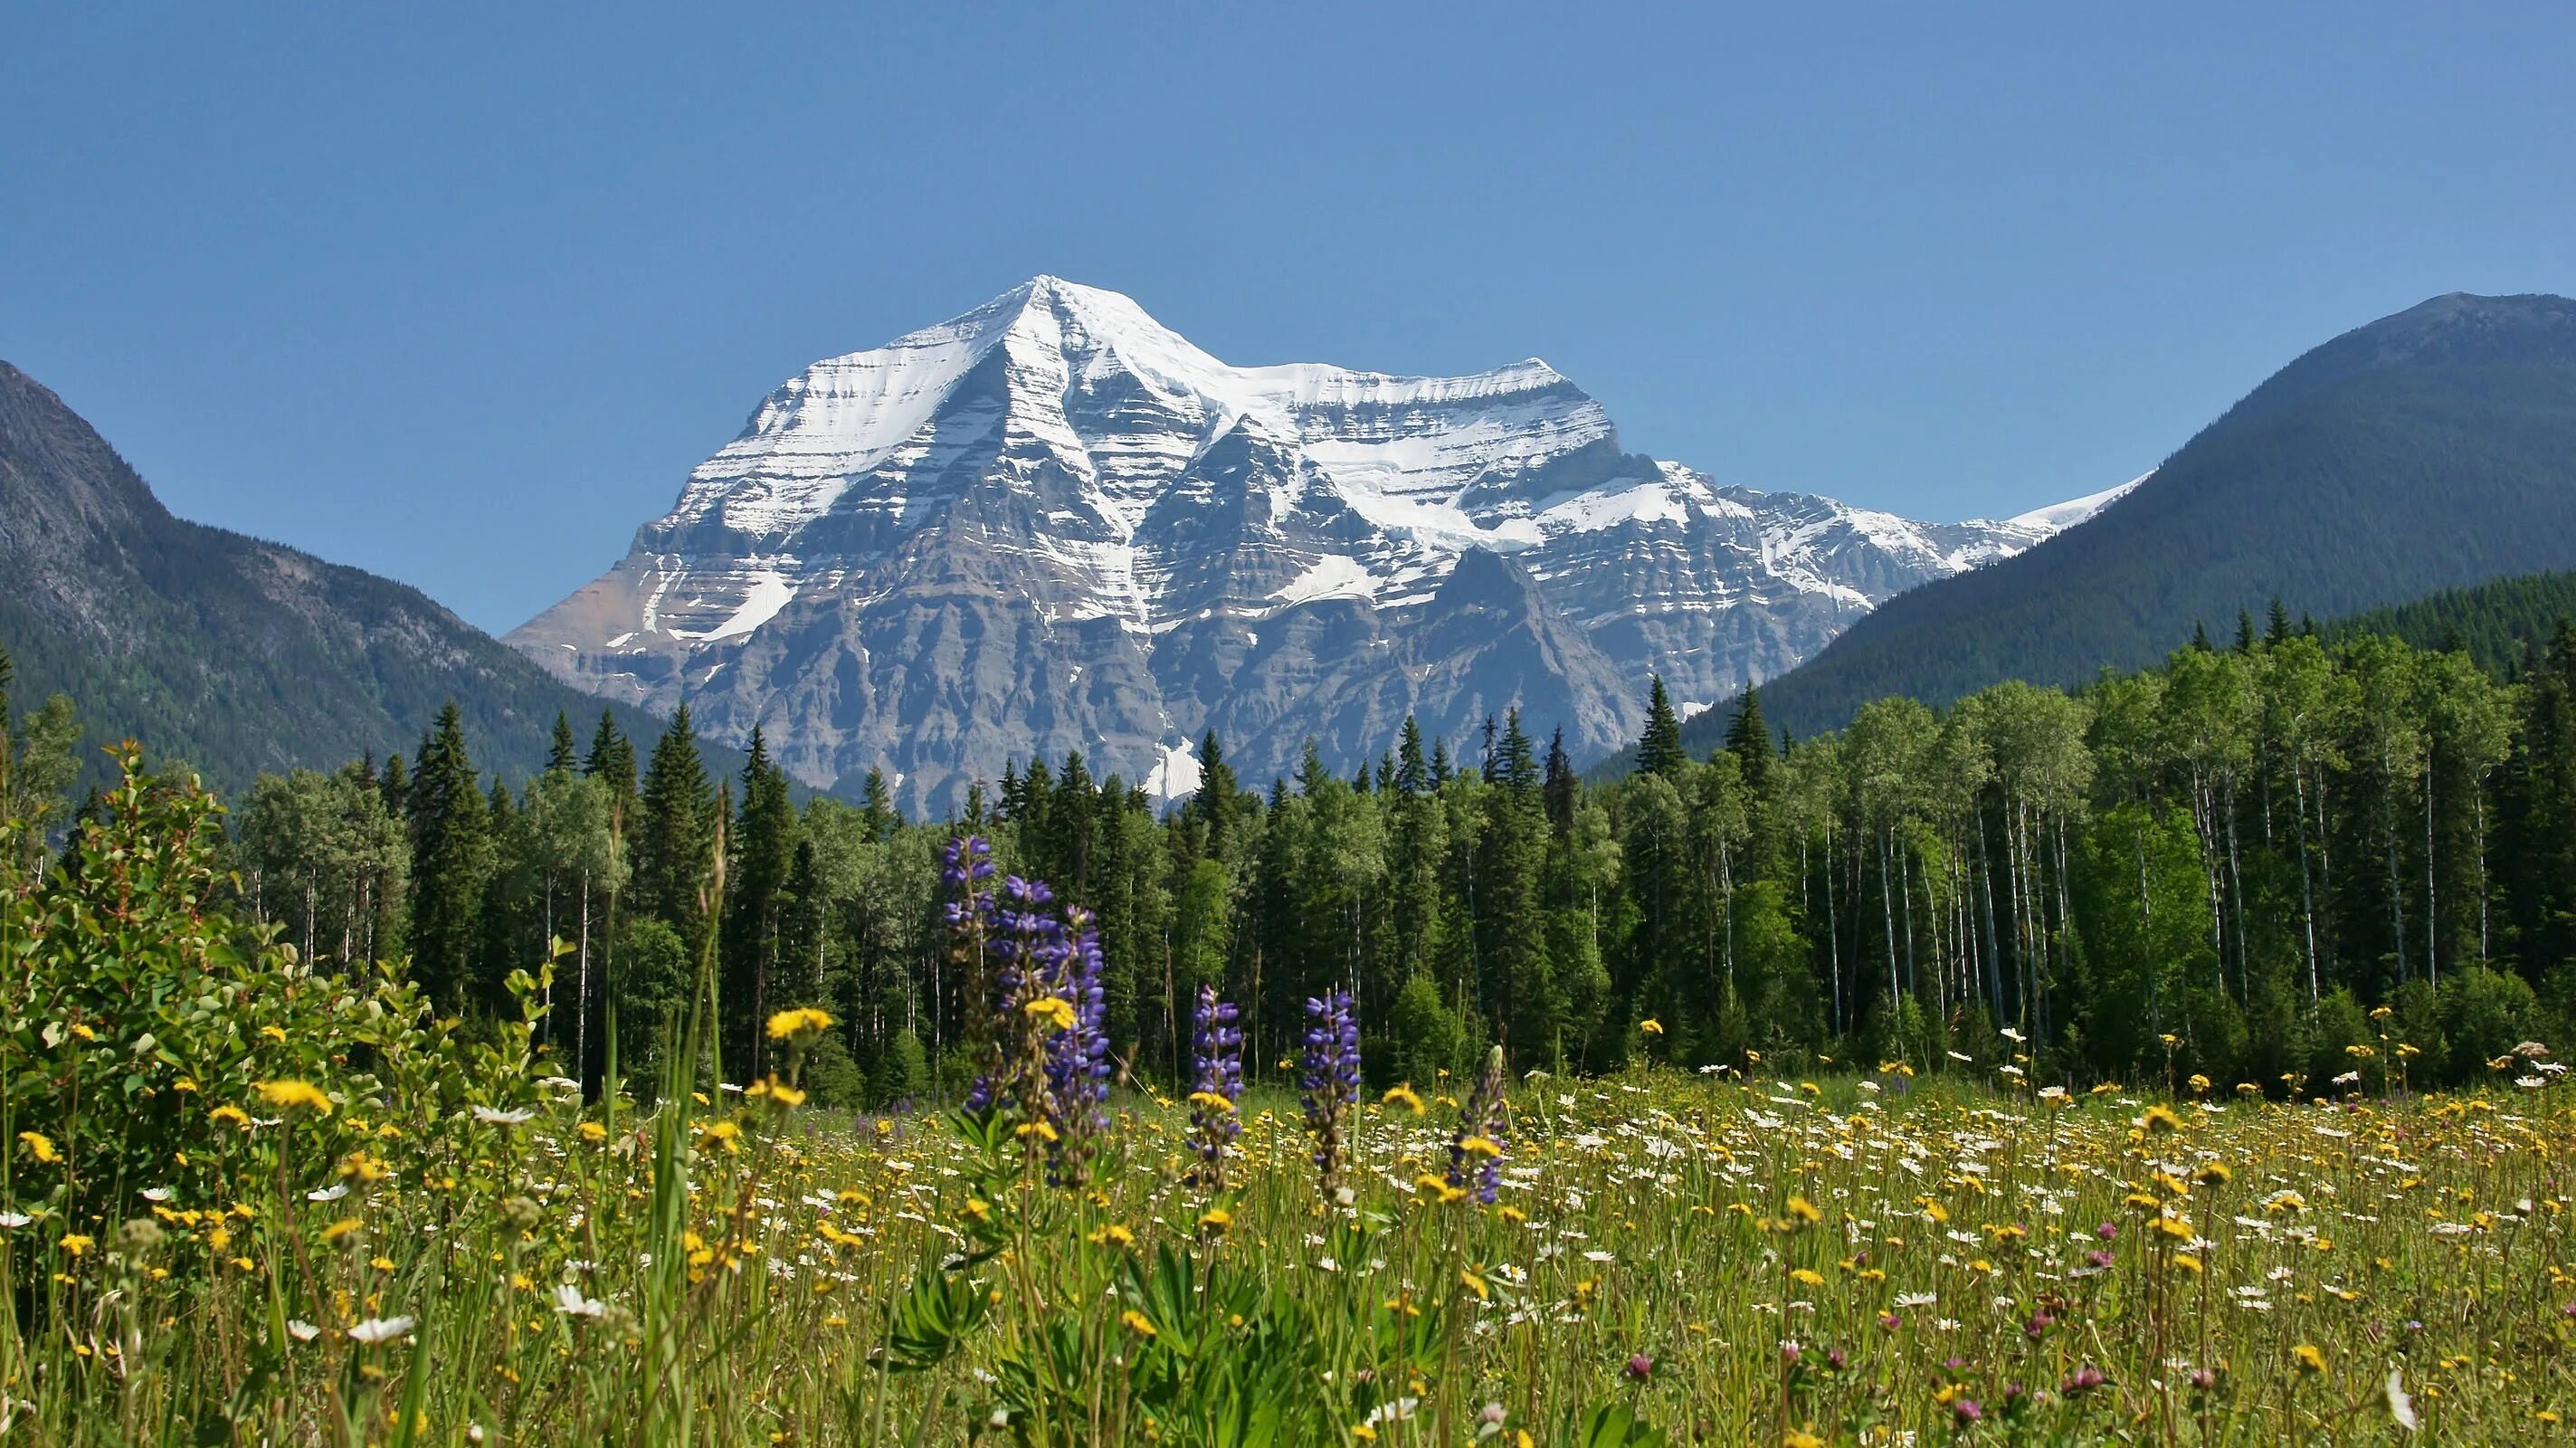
223 651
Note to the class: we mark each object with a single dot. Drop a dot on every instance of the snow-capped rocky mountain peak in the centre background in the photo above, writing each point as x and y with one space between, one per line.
1055 524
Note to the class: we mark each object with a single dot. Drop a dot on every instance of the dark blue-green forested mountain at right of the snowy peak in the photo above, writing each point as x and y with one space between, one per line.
2423 452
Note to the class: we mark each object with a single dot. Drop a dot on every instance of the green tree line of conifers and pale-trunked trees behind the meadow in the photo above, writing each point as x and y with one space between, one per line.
2278 862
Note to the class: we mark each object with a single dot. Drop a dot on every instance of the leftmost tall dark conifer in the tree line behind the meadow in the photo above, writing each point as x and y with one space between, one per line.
452 862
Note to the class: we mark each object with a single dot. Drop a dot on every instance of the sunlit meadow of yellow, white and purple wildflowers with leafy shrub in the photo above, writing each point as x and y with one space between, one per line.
249 1202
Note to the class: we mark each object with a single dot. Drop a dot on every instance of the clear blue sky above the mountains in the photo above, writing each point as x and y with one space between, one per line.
460 295
